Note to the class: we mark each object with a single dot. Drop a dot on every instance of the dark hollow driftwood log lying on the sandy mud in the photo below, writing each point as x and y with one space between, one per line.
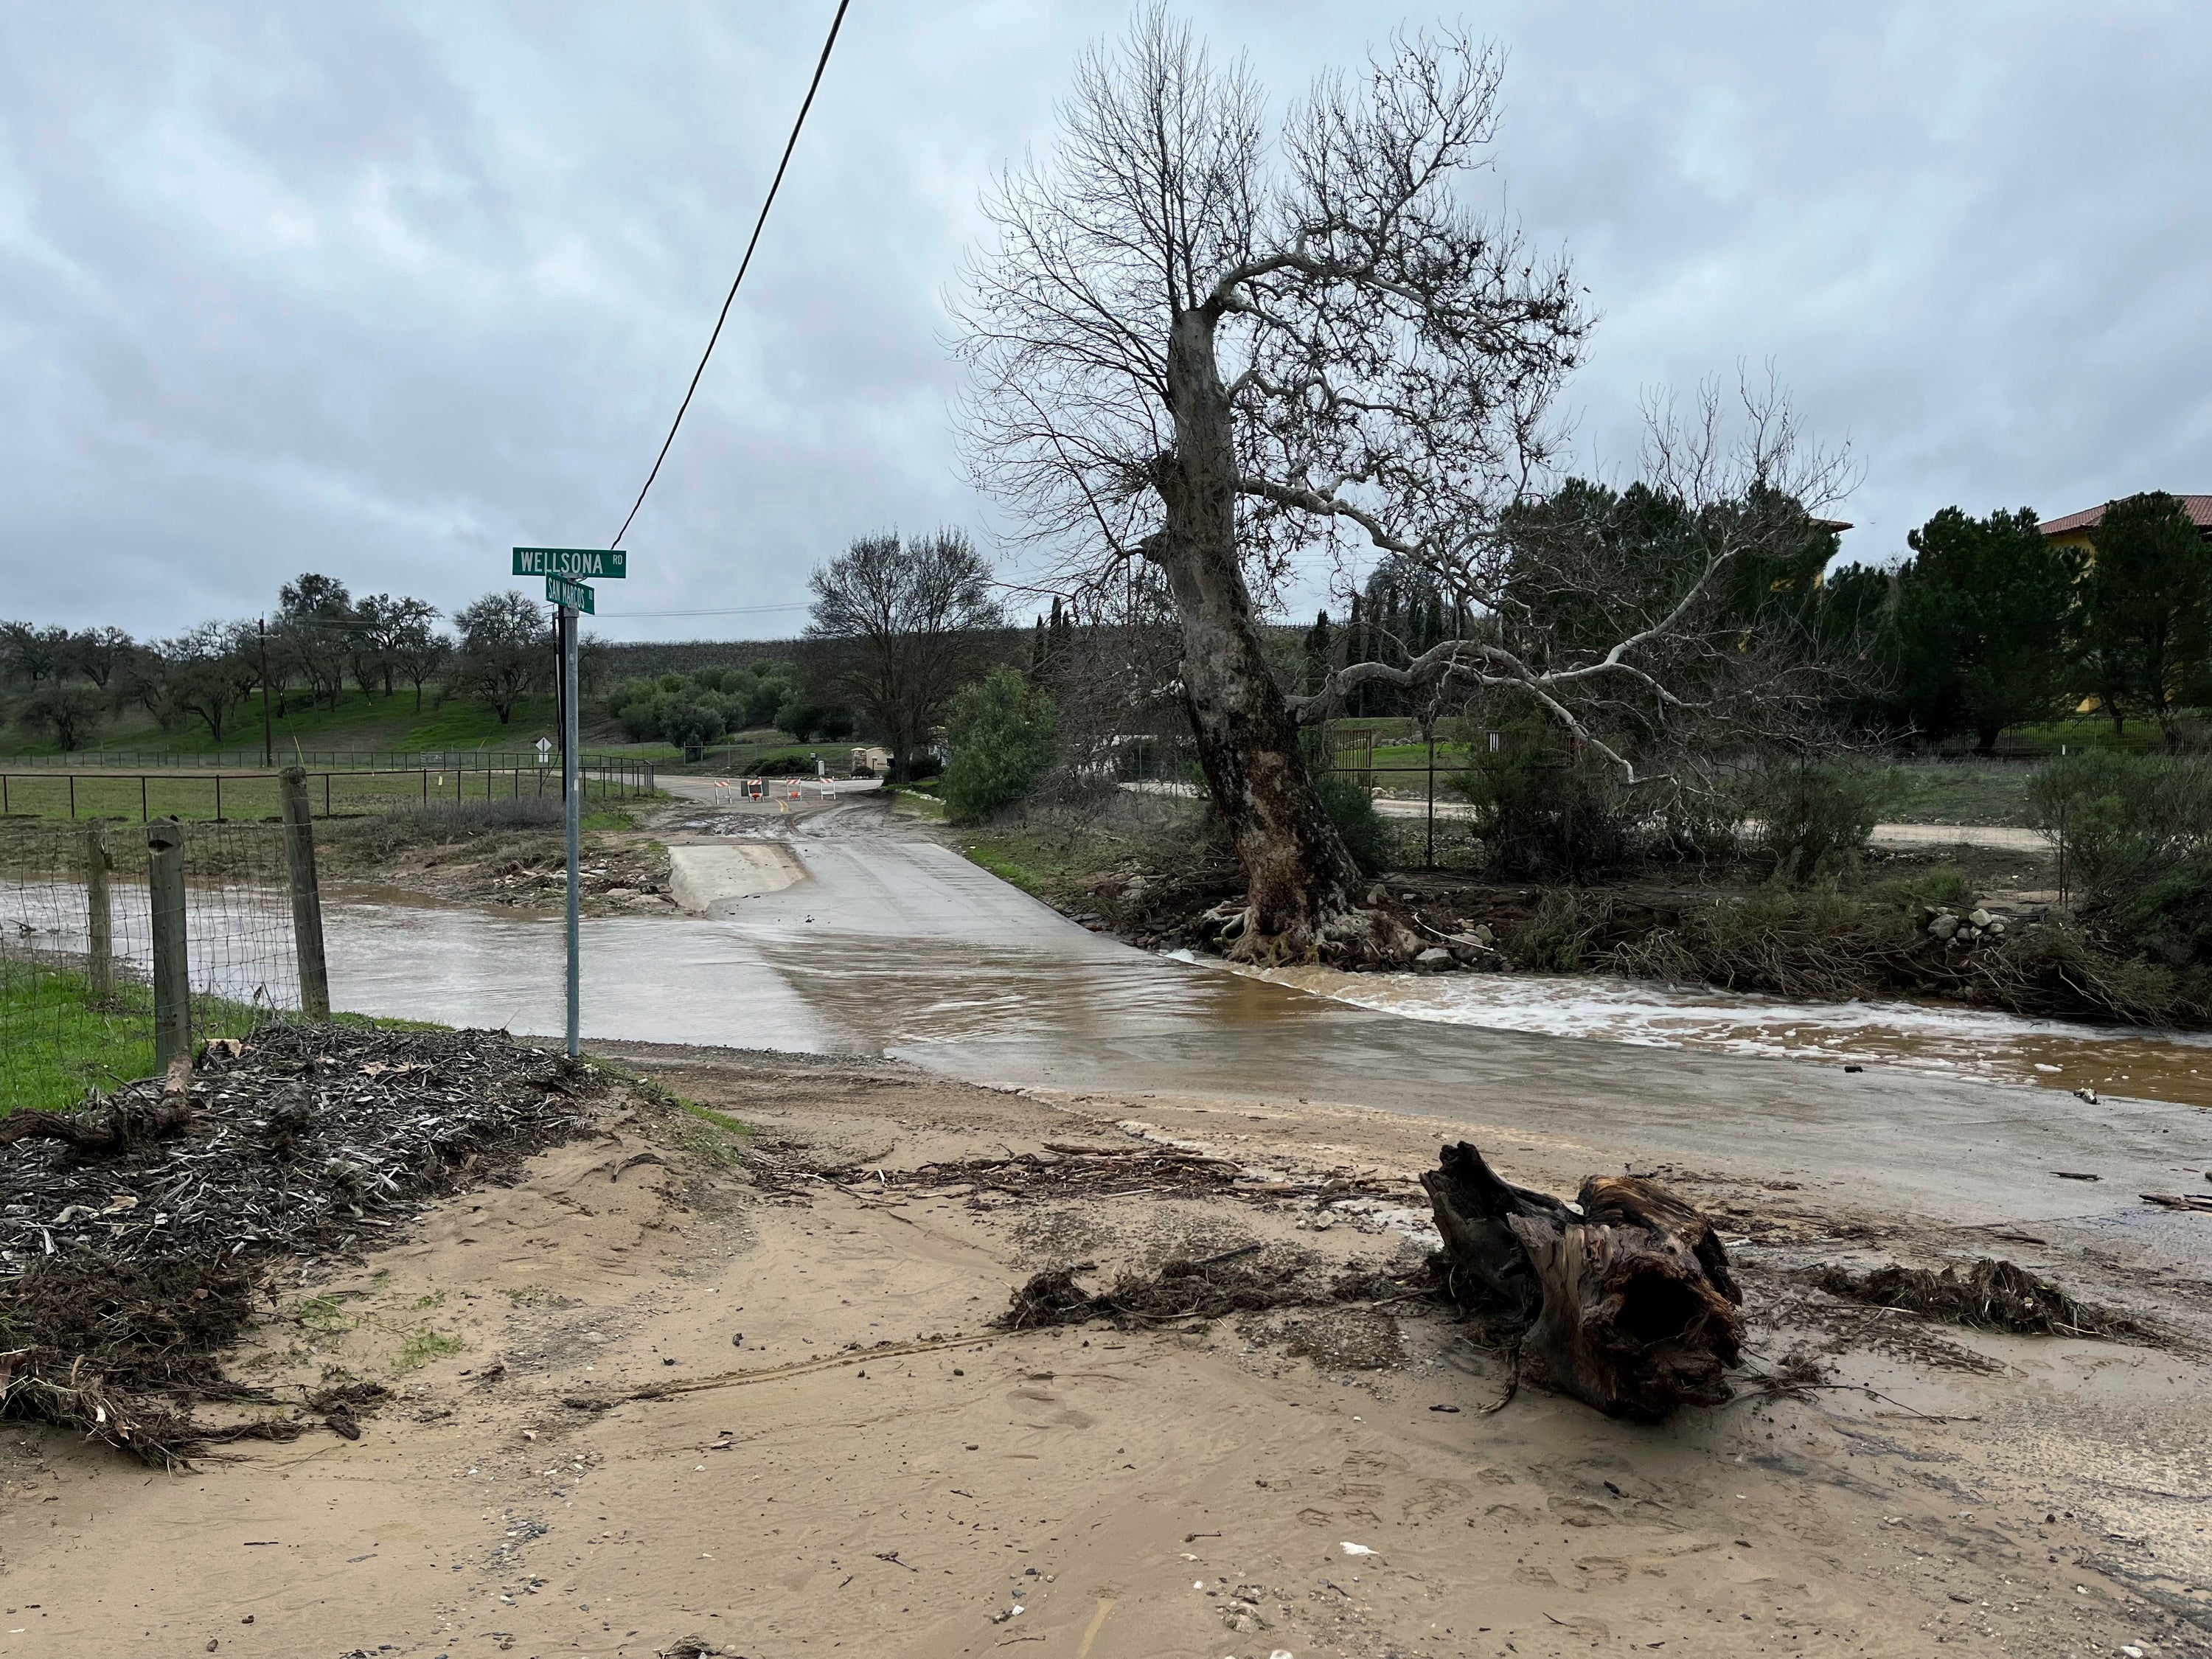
1623 1300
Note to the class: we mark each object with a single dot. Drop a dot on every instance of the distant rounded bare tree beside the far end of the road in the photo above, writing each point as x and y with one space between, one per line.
899 625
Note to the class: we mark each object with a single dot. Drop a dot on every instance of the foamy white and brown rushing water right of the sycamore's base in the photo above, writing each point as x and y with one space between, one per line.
1943 1041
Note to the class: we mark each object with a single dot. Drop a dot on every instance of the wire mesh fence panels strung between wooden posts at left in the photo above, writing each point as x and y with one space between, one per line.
76 950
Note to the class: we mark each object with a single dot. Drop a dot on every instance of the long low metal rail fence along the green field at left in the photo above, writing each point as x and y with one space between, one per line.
331 793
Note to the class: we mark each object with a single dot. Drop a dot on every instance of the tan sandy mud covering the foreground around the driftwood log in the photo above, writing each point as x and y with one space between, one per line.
747 1388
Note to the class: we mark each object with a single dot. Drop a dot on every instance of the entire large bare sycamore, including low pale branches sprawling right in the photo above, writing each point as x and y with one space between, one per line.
1220 355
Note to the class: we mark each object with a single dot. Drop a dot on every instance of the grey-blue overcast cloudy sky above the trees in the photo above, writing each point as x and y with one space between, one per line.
382 291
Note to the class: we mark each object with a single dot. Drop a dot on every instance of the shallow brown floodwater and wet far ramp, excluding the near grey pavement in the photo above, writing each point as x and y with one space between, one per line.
906 946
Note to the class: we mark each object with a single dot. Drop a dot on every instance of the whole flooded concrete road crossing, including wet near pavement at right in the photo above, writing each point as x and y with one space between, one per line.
890 943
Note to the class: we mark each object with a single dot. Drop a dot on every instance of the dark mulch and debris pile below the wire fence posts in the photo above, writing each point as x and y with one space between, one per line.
134 1229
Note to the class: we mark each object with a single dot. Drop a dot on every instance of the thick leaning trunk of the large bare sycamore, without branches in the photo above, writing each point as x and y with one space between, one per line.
1302 884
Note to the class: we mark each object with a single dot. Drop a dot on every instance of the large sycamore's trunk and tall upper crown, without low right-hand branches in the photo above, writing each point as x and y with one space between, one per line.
1211 351
